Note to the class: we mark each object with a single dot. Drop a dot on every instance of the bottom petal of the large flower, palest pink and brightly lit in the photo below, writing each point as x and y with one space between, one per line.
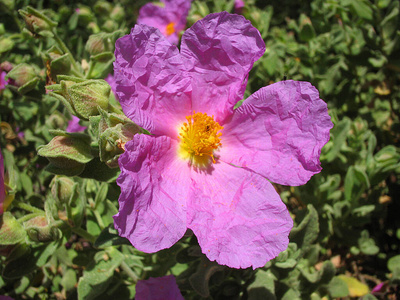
237 217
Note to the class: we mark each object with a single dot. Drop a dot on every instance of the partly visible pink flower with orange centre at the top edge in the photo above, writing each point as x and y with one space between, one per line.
170 19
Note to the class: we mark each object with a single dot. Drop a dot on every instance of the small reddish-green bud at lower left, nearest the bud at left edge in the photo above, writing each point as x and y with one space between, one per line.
39 230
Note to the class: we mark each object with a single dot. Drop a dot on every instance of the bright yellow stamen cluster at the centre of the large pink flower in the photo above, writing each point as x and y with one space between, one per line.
199 138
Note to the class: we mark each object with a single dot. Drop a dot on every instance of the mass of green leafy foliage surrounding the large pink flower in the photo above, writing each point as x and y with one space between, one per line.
59 241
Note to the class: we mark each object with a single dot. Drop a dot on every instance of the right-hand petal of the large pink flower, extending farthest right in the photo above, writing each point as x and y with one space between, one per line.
279 132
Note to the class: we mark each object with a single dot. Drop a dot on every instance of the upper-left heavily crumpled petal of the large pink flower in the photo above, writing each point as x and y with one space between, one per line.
152 85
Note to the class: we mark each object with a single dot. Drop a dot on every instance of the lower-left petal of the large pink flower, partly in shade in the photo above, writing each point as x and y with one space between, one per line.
154 189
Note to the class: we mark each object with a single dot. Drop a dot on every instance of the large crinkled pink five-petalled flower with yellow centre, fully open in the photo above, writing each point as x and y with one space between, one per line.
206 165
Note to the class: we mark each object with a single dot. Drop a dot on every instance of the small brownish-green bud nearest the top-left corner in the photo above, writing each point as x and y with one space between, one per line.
37 23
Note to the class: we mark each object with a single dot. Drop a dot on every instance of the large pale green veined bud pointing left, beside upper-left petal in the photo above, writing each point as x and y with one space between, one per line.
82 97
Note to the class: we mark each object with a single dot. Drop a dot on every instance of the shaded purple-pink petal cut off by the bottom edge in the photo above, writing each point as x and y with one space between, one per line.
161 288
